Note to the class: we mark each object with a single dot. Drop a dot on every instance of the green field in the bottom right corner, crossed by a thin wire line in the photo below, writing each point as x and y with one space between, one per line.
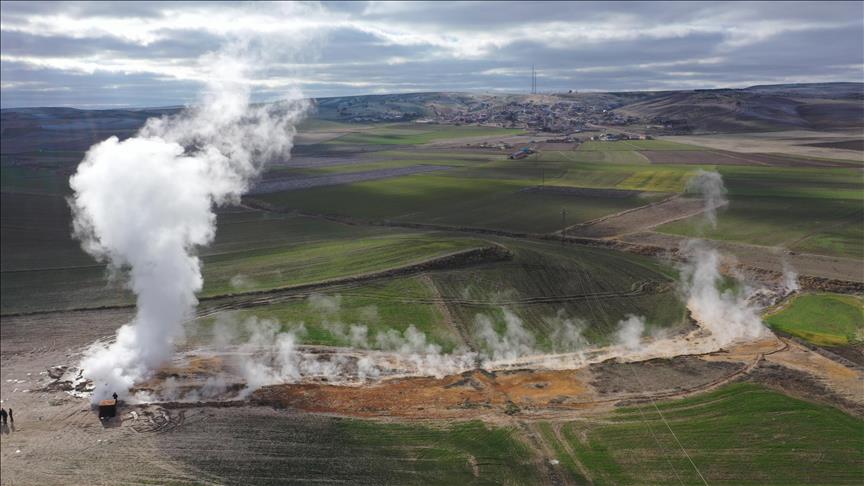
740 434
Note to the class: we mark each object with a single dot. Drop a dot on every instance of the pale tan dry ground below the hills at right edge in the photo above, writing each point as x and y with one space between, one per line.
785 142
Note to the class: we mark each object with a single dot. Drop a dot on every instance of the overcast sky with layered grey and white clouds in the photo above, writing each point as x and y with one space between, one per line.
104 54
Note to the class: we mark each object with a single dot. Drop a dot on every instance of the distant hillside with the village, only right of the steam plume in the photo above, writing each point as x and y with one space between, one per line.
817 106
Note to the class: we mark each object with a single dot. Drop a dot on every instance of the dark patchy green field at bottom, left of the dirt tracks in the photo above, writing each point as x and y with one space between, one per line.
330 450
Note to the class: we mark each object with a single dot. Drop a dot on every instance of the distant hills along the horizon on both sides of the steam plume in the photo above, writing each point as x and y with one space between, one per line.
820 106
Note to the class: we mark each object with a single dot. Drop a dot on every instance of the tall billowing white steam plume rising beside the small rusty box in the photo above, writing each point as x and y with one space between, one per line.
146 204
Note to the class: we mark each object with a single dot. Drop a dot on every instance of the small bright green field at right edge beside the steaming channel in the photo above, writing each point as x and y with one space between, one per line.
824 319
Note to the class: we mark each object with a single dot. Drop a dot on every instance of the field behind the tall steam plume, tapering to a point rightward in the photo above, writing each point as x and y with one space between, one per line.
43 268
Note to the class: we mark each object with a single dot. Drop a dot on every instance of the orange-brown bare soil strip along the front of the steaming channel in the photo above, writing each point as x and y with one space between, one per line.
551 394
